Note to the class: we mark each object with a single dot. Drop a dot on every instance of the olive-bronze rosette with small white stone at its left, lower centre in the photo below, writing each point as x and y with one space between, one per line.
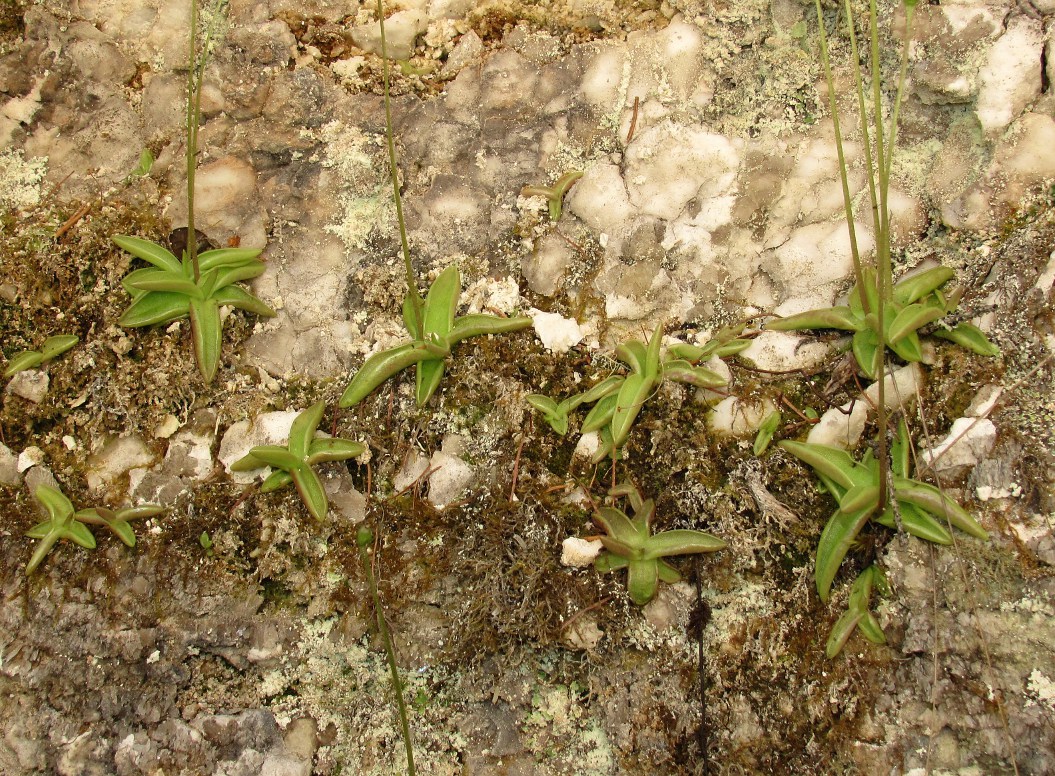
631 546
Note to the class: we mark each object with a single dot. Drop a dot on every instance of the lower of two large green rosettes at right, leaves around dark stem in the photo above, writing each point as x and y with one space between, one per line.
922 510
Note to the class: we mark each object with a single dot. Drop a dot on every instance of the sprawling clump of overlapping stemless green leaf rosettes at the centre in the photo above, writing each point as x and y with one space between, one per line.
619 400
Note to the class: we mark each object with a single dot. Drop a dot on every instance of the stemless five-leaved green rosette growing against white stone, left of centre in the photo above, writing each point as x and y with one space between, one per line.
293 464
